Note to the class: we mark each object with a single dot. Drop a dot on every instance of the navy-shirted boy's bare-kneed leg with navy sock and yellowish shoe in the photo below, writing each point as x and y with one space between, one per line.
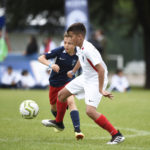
74 114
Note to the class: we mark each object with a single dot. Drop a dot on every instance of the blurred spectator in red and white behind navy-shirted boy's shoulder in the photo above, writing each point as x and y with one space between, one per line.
47 45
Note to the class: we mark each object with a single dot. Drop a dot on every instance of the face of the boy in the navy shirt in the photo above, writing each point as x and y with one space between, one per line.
68 44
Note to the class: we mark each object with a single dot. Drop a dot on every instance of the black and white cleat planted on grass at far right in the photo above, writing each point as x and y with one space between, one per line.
116 139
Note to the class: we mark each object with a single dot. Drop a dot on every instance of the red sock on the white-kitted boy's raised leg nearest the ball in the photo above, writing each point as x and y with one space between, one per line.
61 109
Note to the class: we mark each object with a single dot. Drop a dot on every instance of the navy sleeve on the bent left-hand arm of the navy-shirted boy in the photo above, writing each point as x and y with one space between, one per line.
54 53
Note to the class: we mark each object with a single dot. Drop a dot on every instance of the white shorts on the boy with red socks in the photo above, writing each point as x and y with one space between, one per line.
86 90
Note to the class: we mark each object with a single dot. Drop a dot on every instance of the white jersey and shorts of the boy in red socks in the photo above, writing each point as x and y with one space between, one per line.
87 85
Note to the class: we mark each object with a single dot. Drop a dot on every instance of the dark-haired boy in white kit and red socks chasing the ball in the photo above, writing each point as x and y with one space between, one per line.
92 82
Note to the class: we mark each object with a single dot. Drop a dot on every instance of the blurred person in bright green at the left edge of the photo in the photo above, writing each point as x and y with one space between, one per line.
4 45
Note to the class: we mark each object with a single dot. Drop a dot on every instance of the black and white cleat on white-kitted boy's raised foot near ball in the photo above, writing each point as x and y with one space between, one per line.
53 123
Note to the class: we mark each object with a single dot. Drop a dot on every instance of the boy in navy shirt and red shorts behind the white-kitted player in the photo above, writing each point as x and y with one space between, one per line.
66 59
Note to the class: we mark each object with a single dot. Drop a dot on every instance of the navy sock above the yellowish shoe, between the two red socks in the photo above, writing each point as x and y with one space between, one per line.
75 120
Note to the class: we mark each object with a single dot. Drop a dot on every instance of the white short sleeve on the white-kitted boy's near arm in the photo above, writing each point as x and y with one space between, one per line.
93 55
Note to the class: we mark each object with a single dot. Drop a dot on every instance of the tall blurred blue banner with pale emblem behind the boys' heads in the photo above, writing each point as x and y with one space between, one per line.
77 11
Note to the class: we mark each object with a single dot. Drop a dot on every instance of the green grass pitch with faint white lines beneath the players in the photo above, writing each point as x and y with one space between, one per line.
129 112
